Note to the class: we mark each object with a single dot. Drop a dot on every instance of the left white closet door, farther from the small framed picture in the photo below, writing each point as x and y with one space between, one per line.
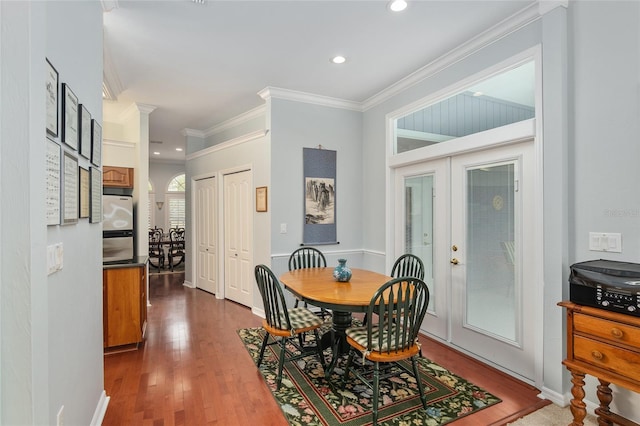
205 233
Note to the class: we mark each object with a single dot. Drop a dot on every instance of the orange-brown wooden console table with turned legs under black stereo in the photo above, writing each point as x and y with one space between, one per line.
605 345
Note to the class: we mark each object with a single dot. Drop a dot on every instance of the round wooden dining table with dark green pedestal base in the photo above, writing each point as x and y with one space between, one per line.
317 287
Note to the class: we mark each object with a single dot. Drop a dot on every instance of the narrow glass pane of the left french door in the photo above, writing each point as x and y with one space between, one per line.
419 225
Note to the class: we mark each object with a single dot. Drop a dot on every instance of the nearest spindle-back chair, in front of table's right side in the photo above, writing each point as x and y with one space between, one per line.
388 342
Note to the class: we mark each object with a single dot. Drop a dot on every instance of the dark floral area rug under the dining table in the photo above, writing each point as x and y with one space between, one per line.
306 397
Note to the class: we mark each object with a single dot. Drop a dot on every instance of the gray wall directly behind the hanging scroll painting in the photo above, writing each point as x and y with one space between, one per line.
294 126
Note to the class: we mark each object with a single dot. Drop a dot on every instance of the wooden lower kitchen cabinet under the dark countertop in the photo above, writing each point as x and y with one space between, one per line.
124 305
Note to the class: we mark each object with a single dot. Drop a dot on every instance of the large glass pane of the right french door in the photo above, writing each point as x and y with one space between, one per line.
490 274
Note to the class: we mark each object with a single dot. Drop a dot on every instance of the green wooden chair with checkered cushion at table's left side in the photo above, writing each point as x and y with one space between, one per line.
284 325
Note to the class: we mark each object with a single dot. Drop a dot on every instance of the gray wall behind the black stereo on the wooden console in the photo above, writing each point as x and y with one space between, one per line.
604 132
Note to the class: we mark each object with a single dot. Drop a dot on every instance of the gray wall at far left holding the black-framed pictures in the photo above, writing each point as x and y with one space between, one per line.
51 326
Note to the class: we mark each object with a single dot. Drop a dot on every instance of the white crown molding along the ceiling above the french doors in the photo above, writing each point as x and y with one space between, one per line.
498 31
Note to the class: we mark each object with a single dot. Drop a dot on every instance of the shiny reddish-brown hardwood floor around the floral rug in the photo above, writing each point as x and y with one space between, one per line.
193 370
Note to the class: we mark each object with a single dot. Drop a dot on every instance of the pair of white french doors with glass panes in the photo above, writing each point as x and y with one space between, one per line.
470 218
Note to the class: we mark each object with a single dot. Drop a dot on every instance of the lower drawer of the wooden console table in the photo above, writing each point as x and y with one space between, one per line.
609 357
